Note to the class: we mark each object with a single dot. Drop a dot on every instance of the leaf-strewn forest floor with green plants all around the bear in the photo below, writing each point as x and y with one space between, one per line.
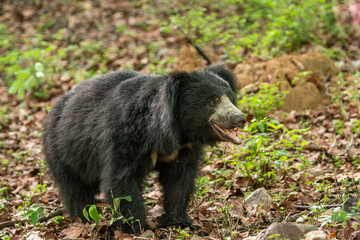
308 161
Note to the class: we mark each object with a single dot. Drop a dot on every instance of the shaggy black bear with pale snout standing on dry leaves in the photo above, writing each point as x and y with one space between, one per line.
109 132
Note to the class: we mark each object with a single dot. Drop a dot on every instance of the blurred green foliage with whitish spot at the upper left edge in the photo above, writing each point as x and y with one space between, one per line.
30 69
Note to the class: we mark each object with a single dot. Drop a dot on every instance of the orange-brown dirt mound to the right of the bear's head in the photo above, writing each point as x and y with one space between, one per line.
302 75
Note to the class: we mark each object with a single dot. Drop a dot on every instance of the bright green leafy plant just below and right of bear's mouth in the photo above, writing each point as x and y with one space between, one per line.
262 151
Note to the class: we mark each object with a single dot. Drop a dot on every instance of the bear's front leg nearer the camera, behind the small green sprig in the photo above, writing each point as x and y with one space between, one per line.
122 184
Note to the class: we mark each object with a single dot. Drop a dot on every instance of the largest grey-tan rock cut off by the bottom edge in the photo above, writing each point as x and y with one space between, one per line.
281 231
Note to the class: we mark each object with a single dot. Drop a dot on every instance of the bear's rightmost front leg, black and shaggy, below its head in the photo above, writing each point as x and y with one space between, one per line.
178 178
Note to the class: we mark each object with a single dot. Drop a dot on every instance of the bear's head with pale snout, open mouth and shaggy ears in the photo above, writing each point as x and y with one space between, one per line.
206 106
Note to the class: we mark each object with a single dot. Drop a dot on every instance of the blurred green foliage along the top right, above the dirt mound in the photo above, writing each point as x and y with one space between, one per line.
267 28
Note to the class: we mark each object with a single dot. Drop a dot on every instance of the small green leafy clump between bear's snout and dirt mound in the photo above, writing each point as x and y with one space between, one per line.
260 104
